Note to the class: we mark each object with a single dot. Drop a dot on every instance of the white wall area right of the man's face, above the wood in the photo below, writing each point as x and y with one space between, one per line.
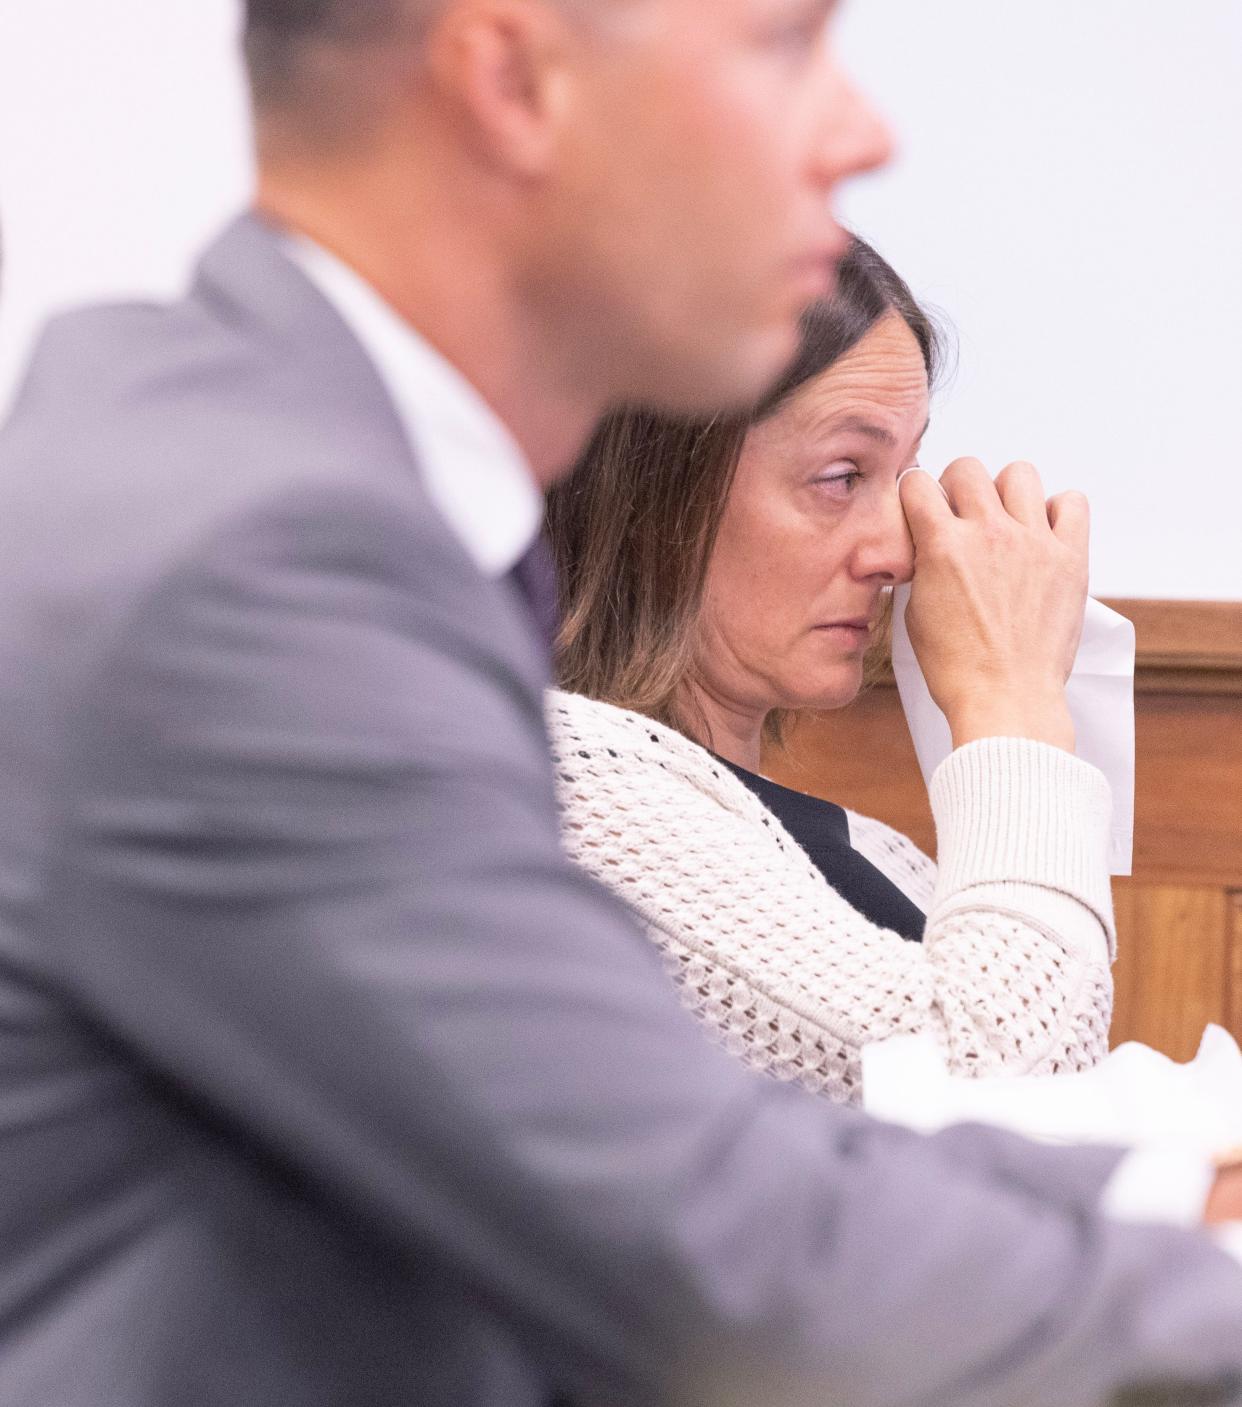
1070 191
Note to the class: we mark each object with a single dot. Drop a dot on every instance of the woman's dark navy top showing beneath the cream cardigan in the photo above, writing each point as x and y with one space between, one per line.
824 832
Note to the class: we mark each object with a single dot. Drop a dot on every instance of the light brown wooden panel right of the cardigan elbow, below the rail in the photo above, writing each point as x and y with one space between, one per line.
1174 966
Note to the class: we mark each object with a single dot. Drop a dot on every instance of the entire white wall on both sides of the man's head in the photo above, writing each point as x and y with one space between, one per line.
1068 192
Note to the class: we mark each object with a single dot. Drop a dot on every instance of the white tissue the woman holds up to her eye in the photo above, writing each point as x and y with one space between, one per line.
1101 696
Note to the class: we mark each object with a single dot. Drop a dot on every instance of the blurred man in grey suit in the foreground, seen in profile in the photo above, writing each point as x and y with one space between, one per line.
324 1080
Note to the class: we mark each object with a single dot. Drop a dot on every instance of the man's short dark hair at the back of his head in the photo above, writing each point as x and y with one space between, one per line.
282 36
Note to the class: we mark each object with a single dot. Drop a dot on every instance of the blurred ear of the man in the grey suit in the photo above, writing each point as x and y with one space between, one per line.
504 68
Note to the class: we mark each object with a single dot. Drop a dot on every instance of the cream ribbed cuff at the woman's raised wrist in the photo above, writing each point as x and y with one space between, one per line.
1012 810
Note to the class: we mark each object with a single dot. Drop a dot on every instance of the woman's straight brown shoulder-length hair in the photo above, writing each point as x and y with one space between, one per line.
634 528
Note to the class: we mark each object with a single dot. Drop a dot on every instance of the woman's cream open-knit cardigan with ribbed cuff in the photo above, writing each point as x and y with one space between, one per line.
1013 970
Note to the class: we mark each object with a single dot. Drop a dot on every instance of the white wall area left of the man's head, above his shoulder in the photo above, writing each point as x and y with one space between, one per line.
124 140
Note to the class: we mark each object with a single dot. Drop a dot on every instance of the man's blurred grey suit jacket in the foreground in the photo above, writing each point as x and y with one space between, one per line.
324 1078
